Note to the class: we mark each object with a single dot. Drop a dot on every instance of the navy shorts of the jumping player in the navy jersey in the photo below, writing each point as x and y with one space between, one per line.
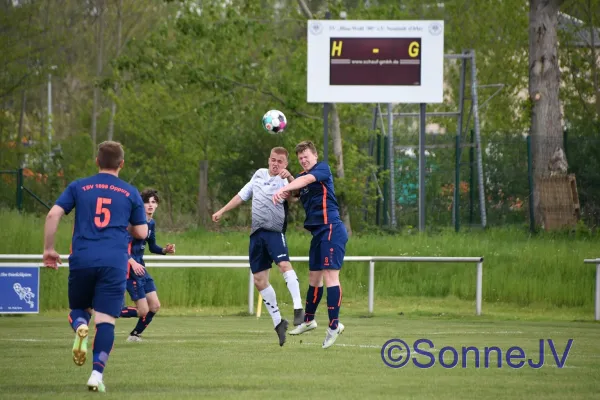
327 247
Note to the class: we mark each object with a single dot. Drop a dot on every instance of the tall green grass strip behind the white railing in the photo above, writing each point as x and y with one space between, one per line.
526 271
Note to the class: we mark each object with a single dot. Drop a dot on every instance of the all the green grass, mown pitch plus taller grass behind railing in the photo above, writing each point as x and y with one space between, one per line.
203 344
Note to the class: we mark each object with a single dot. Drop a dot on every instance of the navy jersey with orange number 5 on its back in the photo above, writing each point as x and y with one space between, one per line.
105 205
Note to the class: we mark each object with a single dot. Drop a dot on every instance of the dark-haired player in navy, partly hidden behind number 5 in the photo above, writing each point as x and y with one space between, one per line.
140 284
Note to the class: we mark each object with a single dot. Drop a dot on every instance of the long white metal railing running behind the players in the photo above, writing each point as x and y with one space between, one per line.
10 260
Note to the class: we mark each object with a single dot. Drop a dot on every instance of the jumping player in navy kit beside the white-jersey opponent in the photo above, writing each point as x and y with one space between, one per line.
329 238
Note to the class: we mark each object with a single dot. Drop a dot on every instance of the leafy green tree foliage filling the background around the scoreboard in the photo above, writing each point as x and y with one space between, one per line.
194 79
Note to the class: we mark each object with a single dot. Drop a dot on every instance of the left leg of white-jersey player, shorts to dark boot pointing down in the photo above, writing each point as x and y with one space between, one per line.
260 264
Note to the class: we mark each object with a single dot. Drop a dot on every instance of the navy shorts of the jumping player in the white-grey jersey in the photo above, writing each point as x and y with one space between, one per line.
267 247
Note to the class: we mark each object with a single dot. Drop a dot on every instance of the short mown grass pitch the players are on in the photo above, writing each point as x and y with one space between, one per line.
218 354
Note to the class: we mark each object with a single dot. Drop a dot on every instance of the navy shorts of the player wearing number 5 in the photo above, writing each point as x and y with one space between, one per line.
100 288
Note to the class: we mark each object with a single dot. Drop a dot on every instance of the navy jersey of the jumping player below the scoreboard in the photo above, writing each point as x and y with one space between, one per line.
318 198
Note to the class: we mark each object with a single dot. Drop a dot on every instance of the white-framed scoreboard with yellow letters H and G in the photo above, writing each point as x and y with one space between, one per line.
375 61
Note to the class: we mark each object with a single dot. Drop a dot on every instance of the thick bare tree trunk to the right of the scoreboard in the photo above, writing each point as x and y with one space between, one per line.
544 82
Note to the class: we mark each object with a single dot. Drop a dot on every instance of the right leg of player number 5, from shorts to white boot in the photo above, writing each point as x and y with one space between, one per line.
108 300
